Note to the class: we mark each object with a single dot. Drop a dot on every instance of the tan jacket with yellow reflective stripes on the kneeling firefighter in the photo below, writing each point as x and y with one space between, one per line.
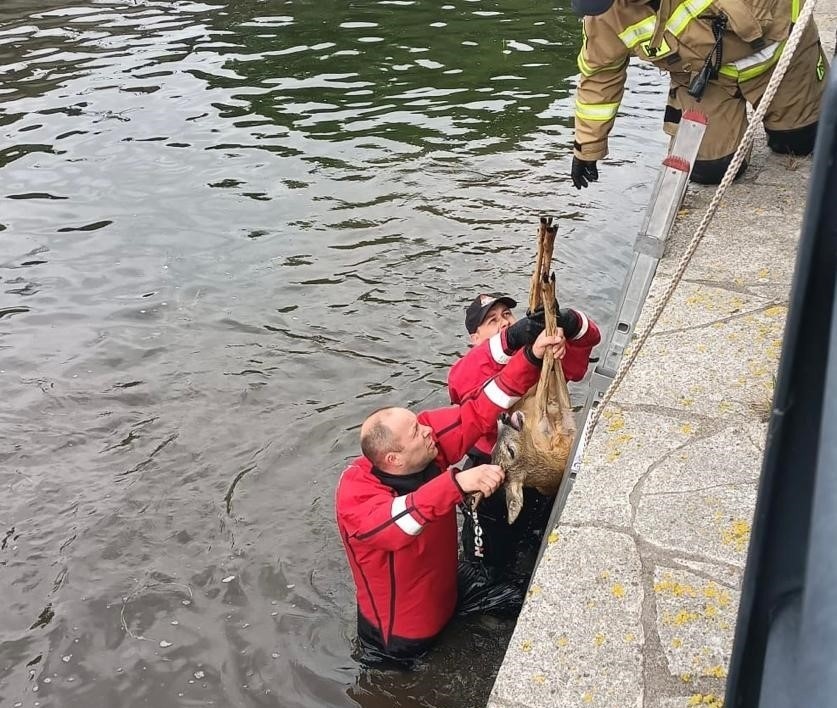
677 38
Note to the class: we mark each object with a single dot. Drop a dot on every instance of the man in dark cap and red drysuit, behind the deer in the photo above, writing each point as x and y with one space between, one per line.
496 334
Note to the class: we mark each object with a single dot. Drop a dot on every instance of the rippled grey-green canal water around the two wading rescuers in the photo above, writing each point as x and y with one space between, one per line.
229 230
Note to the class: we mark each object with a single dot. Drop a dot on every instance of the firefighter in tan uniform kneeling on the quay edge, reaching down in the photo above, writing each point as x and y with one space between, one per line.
719 55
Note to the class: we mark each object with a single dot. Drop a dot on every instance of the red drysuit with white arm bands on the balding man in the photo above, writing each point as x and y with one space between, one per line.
399 531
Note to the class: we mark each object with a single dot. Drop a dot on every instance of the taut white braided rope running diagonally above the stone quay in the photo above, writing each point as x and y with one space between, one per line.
732 170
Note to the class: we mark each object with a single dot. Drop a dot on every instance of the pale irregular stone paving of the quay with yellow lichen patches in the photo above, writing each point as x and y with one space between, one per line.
635 599
